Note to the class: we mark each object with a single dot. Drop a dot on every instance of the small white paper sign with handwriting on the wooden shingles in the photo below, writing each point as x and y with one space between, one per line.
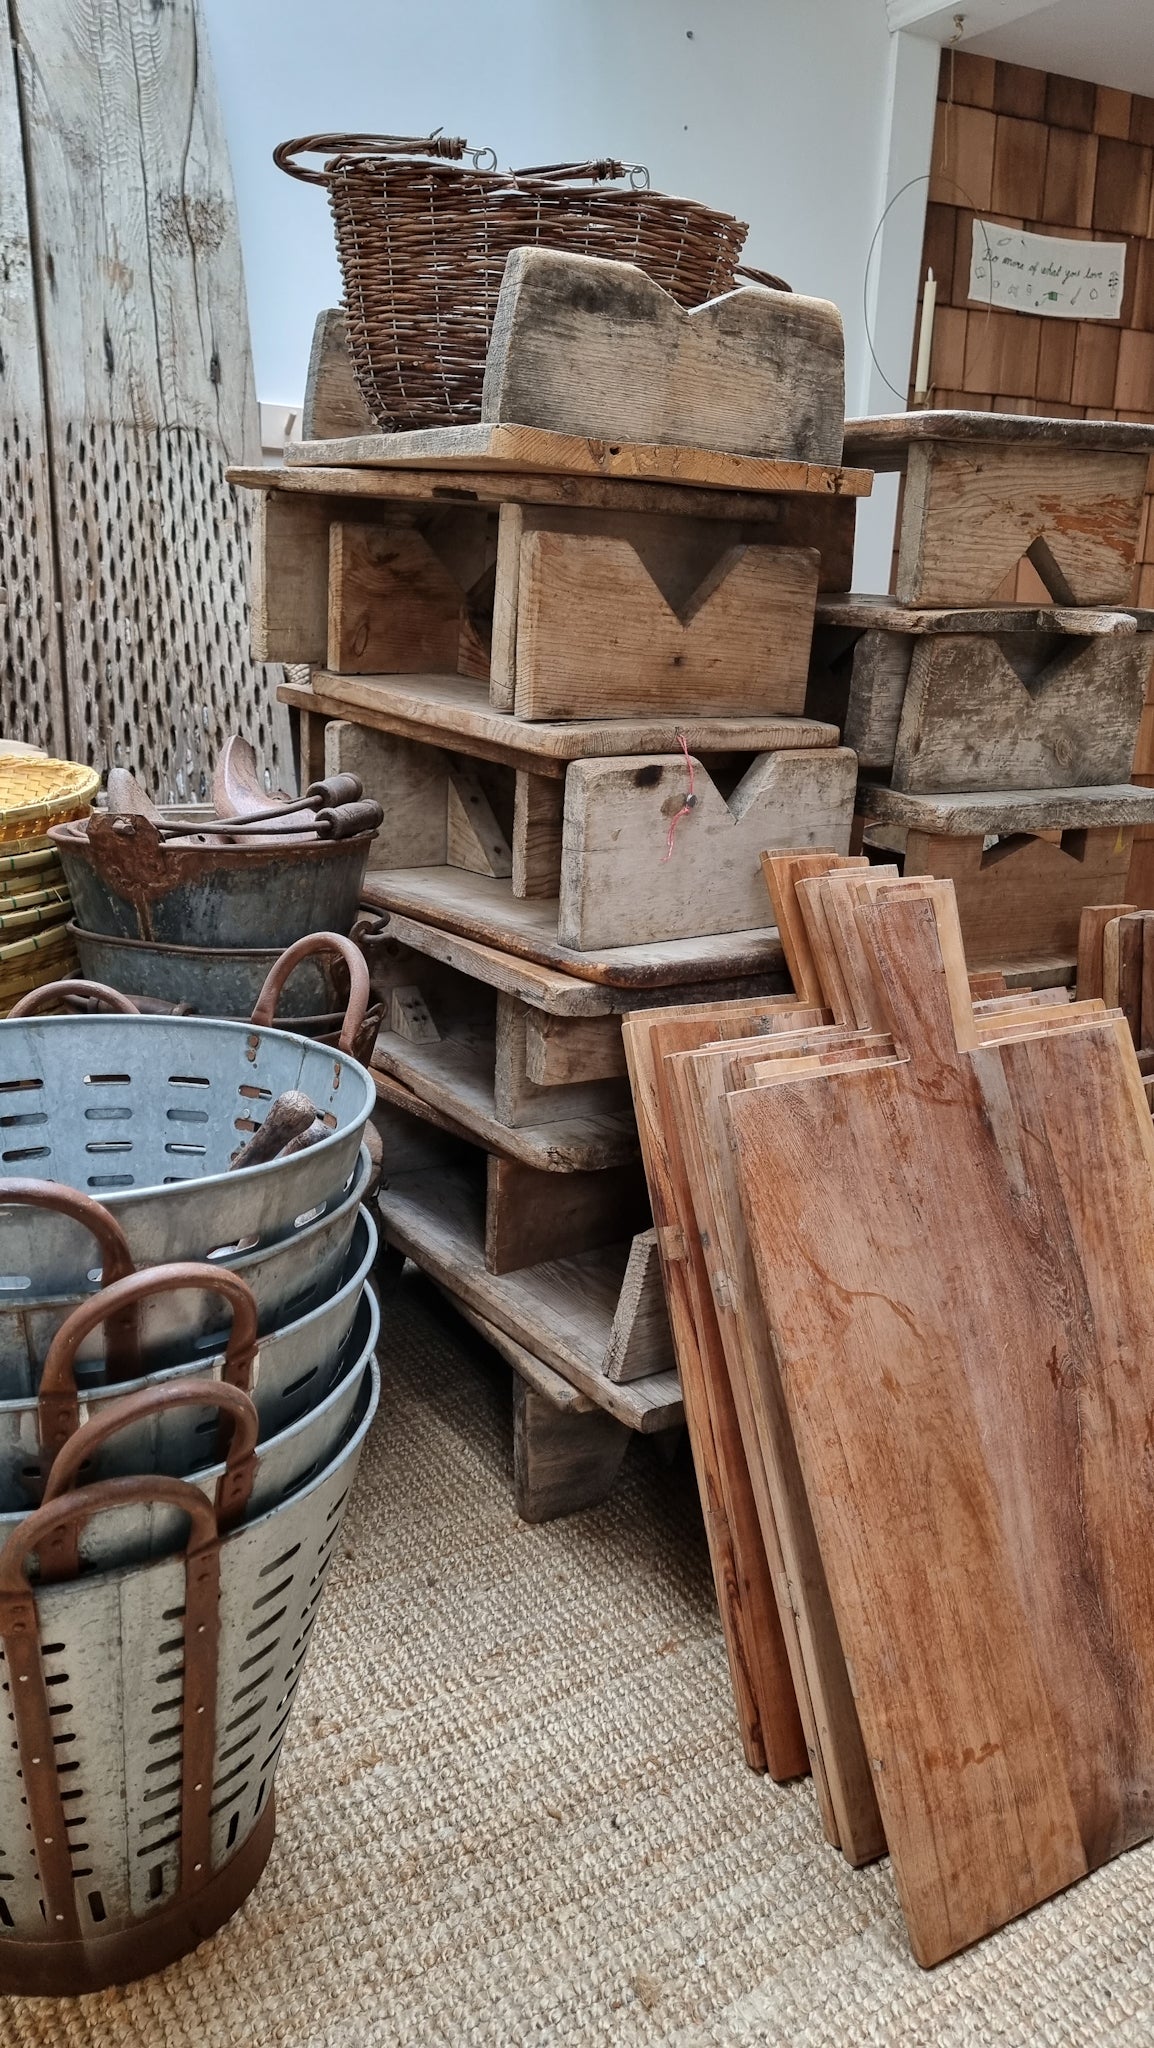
1046 273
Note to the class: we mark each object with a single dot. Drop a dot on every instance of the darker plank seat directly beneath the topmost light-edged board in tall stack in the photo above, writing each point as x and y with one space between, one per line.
809 519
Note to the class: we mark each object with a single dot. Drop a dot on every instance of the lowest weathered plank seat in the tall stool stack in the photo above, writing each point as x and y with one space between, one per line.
563 1312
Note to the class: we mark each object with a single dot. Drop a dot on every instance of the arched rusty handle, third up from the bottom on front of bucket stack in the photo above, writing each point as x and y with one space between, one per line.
58 1406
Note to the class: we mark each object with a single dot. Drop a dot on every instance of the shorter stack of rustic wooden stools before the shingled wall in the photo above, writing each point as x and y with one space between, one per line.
997 740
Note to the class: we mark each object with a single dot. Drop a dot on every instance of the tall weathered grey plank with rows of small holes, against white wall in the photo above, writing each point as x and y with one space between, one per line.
149 386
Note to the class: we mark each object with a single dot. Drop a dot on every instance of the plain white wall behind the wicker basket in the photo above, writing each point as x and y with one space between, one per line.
780 112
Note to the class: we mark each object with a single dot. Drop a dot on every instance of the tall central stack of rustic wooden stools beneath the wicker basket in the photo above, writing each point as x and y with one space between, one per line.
569 654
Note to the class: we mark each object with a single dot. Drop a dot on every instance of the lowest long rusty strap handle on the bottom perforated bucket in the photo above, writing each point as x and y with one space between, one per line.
48 1531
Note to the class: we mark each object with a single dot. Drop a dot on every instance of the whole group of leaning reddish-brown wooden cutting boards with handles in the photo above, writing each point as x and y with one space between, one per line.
907 1228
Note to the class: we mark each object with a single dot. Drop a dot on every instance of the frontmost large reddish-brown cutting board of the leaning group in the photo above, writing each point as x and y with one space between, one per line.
956 1254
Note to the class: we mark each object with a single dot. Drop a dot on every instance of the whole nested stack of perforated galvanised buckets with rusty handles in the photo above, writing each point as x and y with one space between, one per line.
186 1383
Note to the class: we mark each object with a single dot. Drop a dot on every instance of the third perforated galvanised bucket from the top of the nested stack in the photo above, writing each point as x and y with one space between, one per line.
292 1375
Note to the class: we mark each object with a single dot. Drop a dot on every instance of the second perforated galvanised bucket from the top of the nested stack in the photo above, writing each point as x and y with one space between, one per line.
288 1279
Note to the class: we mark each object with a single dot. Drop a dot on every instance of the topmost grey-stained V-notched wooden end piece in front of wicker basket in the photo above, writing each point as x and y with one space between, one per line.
591 347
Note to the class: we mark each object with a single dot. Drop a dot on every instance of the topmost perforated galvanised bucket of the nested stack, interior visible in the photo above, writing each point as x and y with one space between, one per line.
145 1113
